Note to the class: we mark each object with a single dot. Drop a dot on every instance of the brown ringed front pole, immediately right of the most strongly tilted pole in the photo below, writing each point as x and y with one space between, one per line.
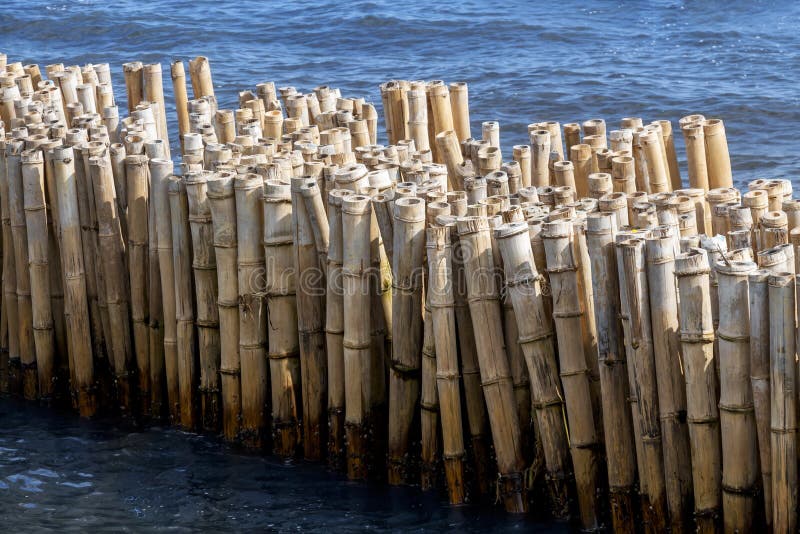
567 312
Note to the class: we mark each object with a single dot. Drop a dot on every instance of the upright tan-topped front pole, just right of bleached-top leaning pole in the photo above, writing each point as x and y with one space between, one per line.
137 246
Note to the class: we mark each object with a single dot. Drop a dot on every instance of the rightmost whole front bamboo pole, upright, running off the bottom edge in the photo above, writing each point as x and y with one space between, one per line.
783 411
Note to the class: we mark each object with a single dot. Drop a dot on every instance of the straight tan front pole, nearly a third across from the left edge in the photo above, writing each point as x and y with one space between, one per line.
248 190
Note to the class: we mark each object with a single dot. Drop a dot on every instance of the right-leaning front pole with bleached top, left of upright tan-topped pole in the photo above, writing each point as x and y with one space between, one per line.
114 267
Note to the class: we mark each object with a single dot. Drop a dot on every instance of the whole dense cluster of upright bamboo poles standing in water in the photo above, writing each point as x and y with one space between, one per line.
579 320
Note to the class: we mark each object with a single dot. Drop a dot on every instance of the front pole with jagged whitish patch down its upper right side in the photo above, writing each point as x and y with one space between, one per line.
697 337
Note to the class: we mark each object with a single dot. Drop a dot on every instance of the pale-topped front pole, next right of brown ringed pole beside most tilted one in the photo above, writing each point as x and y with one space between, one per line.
619 440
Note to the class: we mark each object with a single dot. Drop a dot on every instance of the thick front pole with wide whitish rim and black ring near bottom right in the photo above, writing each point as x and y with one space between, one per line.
740 459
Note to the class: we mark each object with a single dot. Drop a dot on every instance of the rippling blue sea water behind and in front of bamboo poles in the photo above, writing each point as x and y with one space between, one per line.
524 62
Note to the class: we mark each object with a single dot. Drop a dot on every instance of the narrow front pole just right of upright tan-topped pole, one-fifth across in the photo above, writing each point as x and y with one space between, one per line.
160 172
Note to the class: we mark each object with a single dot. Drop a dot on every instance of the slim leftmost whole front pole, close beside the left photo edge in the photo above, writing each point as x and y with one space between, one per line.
19 237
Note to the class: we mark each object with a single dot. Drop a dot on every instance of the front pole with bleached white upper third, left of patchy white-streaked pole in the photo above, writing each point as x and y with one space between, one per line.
663 292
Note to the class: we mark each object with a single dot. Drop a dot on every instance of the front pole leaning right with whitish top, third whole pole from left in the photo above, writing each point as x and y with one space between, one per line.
75 294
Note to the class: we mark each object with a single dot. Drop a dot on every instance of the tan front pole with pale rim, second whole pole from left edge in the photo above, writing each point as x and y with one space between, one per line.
33 187
